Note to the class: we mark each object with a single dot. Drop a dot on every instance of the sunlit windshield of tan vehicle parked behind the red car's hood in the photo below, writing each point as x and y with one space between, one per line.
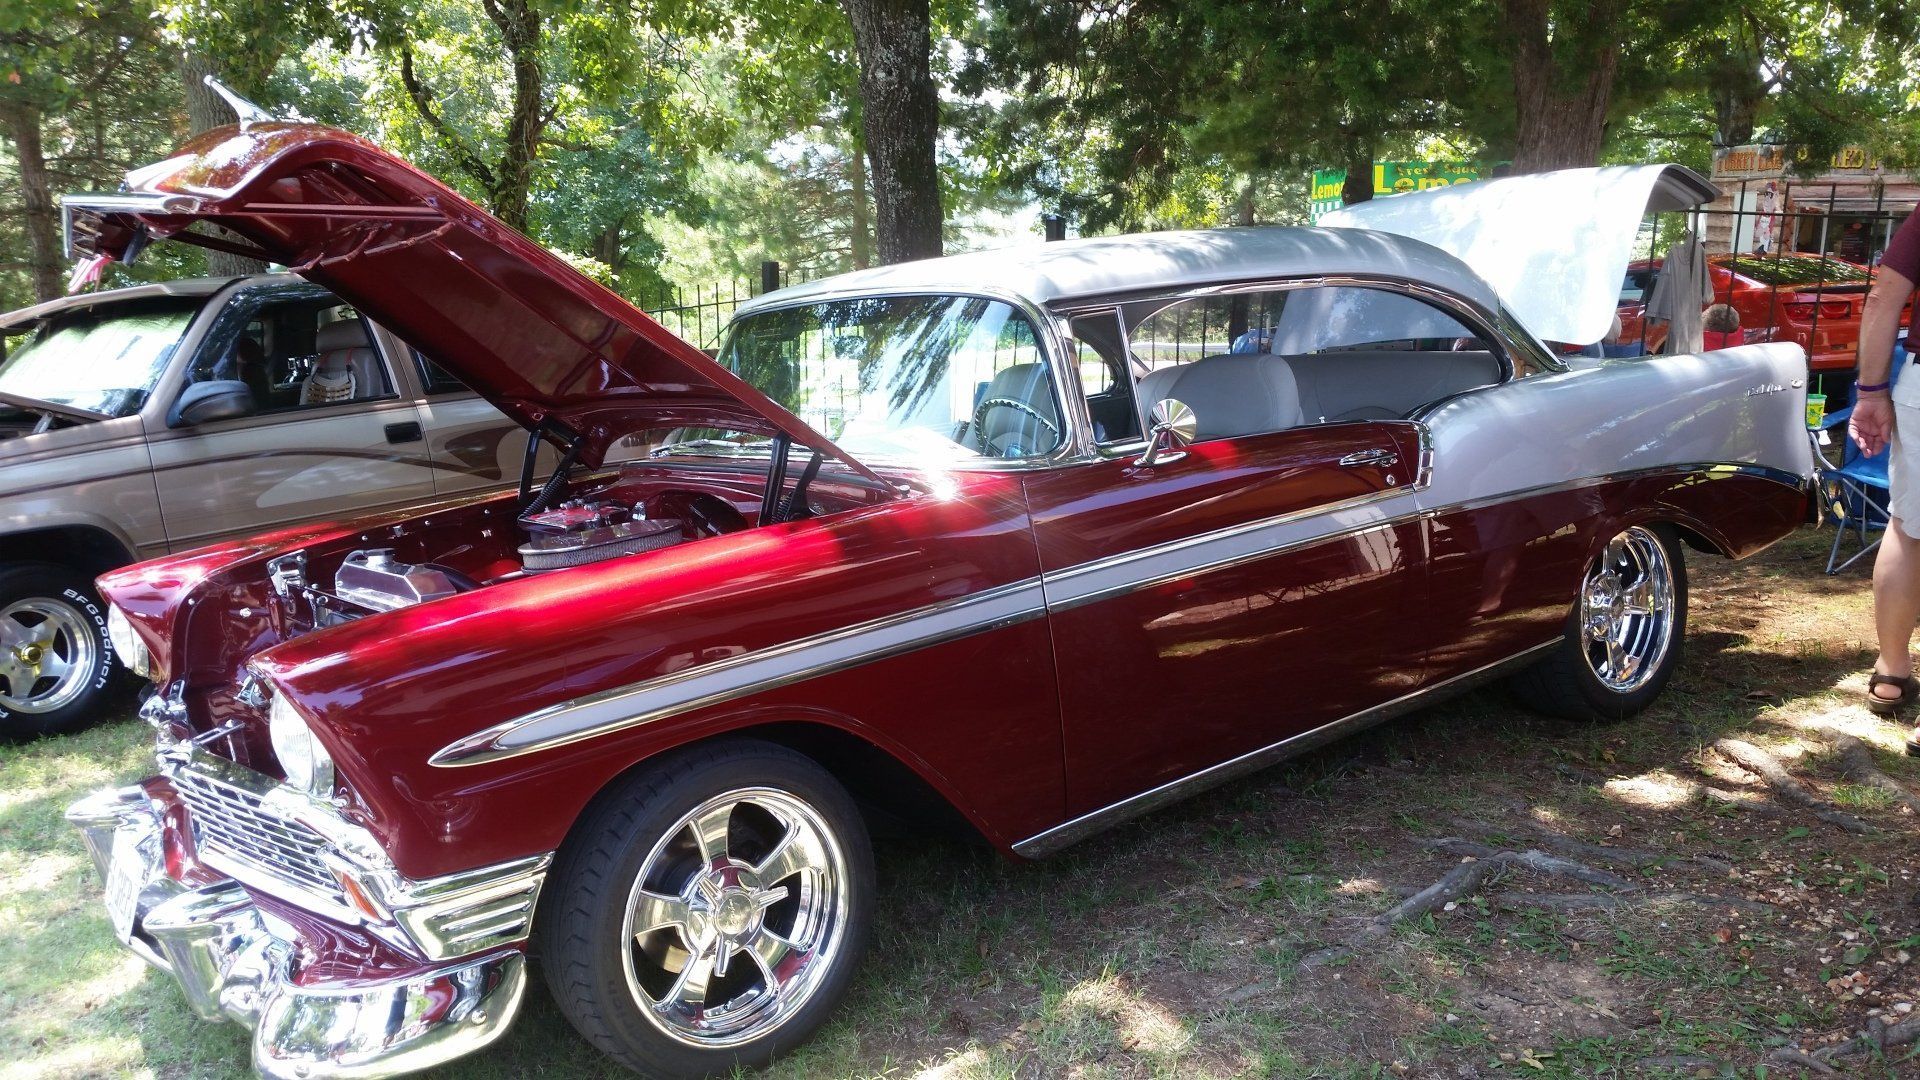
105 360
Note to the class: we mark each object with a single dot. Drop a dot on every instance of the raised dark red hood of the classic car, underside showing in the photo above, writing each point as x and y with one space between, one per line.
533 335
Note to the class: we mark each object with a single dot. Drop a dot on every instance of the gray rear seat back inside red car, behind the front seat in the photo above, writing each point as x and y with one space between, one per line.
1370 385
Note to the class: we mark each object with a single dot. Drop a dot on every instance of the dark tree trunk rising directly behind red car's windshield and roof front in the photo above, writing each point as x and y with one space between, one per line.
901 118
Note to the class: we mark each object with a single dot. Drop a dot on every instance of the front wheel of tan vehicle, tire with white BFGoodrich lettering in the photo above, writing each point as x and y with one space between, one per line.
57 664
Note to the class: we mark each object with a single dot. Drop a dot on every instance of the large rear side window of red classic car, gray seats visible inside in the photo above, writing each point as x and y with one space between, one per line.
1262 362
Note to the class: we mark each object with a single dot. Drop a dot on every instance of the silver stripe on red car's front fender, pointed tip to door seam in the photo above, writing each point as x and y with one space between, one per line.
748 674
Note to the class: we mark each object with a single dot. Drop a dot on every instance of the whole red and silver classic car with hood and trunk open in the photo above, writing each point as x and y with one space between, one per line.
1042 556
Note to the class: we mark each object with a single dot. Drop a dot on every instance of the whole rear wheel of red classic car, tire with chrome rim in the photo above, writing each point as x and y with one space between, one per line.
1623 637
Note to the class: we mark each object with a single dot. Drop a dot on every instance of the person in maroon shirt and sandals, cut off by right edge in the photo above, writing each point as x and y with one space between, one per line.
1881 416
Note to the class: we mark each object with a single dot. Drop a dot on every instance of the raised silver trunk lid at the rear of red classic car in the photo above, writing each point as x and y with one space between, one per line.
1552 245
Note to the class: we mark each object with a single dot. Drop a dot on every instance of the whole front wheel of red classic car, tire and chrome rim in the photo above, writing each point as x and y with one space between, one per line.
709 912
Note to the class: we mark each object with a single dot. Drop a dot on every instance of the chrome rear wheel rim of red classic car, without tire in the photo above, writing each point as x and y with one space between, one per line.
1627 610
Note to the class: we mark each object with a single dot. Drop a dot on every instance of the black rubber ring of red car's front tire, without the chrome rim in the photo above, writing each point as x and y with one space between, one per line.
602 860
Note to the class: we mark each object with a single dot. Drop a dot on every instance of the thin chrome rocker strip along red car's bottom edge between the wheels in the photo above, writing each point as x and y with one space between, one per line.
1257 760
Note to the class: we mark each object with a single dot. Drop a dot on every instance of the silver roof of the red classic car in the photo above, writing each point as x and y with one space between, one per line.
1099 266
